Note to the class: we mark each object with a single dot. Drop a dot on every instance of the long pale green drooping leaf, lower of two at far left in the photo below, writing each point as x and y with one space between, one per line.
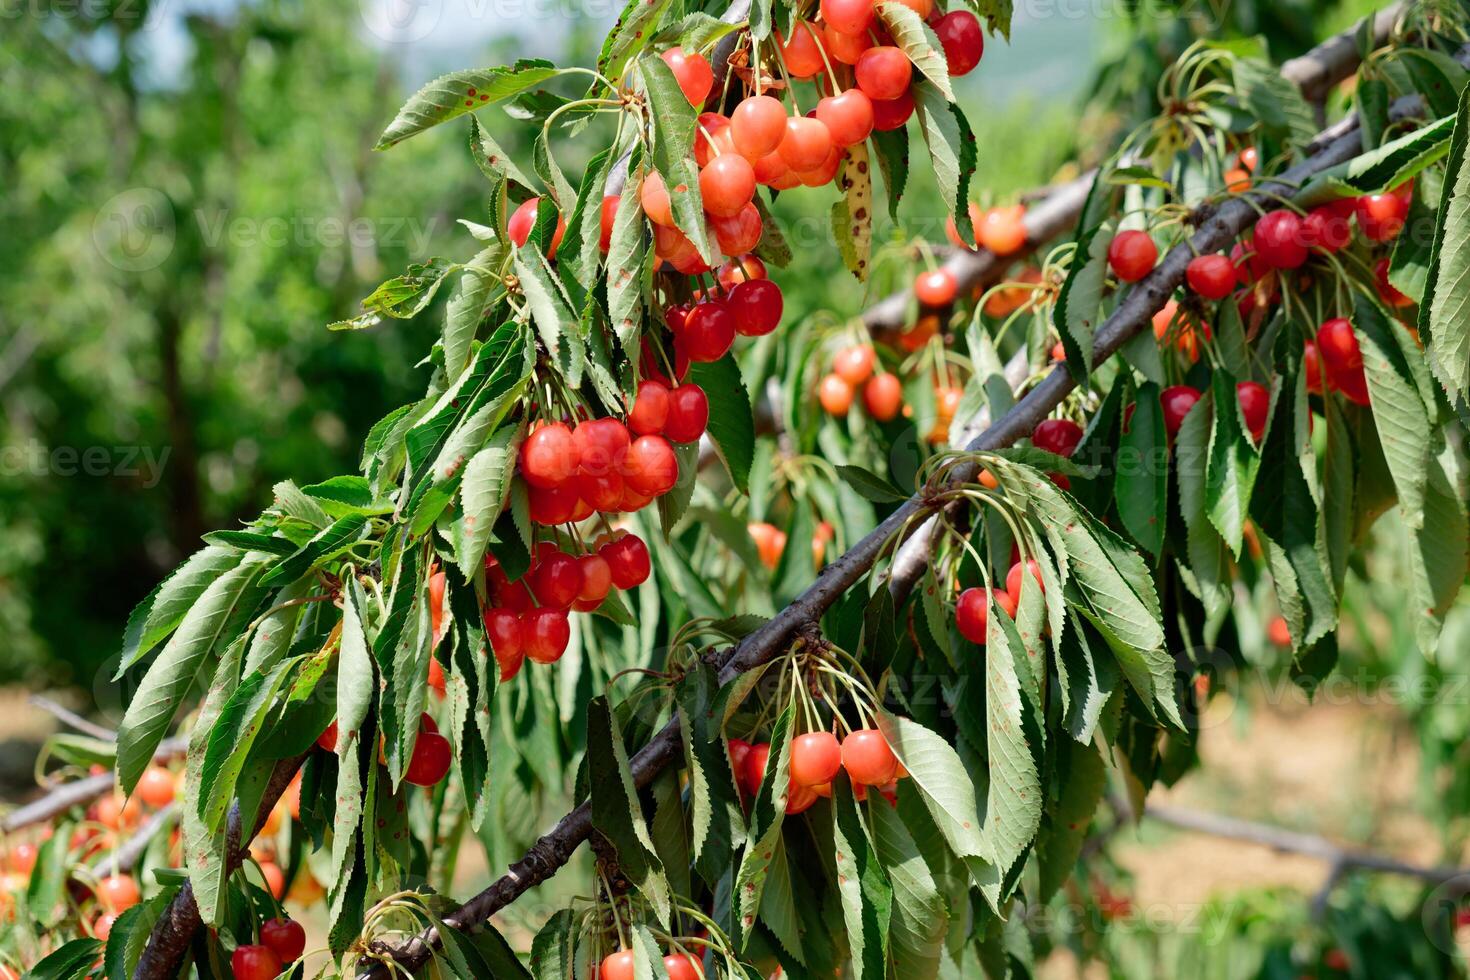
170 678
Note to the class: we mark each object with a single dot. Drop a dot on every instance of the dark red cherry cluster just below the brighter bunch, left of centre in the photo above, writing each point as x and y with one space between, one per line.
530 618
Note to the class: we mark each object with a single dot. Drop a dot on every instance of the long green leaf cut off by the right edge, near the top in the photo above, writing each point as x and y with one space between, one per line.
1444 315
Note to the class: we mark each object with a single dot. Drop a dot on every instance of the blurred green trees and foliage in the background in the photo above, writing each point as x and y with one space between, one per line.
190 198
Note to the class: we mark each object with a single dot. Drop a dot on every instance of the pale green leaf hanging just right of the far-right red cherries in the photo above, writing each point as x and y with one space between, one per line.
1399 411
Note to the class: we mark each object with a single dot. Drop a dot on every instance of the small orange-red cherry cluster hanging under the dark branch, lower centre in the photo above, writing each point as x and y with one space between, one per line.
815 762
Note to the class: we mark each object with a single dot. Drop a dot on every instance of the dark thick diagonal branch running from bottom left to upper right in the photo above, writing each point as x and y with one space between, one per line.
1133 317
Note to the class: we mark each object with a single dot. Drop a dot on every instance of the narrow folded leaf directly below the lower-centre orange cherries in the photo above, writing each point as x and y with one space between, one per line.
867 894
